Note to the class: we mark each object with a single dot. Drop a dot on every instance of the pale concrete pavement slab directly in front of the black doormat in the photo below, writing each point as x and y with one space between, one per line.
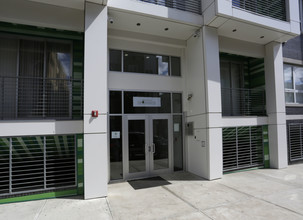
151 203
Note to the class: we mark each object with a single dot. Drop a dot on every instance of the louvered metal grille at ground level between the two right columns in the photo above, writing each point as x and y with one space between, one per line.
242 148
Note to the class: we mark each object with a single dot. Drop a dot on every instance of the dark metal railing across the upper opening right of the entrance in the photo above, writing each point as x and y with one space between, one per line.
243 102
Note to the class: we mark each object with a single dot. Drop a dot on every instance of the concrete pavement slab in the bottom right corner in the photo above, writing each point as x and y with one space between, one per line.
252 209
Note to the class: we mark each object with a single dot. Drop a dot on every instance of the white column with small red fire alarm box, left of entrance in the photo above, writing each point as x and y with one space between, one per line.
95 98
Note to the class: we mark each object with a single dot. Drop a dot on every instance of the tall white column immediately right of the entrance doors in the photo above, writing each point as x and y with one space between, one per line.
213 102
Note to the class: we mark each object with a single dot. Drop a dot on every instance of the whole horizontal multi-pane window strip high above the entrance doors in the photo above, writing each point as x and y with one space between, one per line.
134 62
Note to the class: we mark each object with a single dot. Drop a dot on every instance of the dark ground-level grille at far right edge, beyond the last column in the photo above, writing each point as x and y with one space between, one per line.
295 141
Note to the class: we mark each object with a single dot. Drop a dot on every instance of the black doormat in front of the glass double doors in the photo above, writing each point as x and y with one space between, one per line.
148 182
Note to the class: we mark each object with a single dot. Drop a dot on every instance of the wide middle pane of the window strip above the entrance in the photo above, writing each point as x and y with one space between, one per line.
146 63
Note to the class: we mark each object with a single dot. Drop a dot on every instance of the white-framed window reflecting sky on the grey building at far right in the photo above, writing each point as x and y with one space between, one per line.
293 83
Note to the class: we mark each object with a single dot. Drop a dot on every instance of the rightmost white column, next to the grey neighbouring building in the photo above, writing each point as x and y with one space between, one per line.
275 99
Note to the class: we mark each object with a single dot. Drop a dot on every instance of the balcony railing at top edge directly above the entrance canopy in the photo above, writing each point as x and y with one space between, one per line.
193 6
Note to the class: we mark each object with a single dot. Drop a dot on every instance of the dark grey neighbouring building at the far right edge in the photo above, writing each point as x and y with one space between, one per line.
293 61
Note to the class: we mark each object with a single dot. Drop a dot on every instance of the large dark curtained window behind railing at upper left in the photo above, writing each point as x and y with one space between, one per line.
36 78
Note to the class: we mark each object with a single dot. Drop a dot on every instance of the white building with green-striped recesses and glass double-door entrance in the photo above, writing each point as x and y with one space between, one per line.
96 91
